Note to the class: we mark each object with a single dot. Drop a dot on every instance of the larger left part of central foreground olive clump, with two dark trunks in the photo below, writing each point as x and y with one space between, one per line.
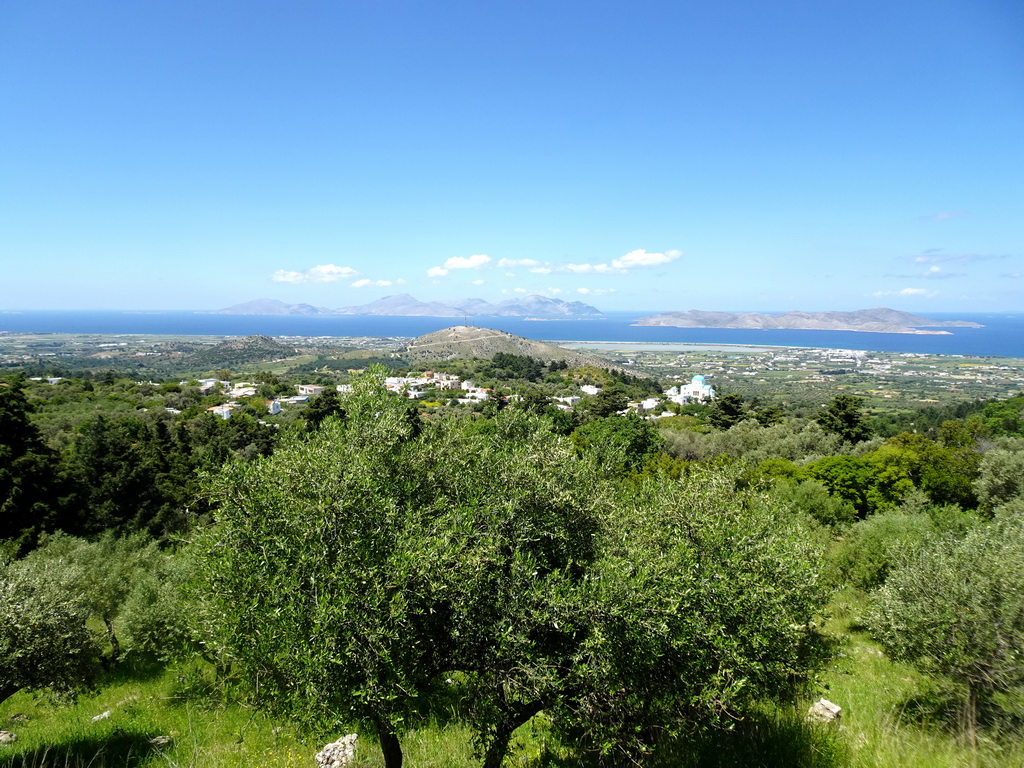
353 569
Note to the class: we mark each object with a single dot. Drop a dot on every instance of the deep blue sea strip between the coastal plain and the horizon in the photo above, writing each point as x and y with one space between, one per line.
1003 335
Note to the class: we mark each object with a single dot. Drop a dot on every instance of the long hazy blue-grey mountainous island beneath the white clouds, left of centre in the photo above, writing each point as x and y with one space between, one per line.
404 306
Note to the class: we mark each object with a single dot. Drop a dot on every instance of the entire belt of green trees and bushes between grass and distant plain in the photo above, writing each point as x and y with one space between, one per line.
370 560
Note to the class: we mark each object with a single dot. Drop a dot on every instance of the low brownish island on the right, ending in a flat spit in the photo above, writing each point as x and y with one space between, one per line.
879 321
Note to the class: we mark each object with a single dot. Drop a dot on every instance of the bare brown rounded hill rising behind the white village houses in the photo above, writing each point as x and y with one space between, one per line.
467 342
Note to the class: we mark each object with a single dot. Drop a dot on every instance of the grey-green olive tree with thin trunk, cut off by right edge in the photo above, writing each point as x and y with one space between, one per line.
957 610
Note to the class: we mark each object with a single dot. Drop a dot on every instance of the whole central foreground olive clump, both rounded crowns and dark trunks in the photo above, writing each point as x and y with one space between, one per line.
365 563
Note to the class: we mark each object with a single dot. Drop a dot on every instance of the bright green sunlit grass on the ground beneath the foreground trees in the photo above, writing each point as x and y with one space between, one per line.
893 717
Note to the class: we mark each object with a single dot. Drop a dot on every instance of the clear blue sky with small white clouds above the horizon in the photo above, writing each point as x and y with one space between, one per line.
737 155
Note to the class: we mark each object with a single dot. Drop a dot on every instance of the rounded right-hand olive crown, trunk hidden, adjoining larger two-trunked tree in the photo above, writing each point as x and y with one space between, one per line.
701 604
